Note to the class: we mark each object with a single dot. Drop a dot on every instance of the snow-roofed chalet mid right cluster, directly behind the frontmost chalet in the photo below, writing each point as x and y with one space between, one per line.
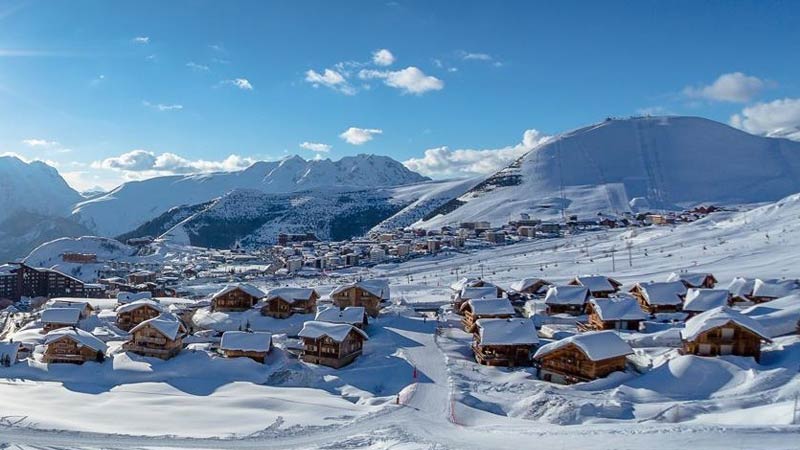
616 313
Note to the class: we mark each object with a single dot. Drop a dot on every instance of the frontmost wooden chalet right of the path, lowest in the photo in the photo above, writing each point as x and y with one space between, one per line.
582 357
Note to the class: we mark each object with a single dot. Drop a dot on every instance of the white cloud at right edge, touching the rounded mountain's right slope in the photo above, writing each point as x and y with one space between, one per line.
775 118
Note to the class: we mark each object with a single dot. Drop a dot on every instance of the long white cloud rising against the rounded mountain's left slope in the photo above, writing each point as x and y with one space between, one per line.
443 162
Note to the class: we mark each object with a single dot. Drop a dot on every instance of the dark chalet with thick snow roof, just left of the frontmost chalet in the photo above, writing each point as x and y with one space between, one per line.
504 342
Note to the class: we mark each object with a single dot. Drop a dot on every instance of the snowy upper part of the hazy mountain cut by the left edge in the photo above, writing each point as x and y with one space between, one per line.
33 187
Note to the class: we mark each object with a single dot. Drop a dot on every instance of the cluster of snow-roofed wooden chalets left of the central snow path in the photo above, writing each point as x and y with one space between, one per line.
335 337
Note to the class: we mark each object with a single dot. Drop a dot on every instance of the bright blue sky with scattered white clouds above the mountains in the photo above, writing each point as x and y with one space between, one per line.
112 91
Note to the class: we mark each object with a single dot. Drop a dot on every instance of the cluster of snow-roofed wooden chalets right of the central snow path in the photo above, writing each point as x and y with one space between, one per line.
711 326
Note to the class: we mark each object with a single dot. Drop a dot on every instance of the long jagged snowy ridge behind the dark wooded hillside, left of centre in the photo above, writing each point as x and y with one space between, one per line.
133 204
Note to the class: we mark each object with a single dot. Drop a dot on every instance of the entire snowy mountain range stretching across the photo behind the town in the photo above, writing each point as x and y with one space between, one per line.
612 167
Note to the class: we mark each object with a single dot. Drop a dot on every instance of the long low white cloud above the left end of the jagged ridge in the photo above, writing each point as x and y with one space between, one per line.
152 164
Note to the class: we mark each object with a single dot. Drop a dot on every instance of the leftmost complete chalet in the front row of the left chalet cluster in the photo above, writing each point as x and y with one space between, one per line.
72 345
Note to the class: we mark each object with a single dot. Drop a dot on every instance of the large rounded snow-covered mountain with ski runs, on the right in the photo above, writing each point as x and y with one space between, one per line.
651 162
